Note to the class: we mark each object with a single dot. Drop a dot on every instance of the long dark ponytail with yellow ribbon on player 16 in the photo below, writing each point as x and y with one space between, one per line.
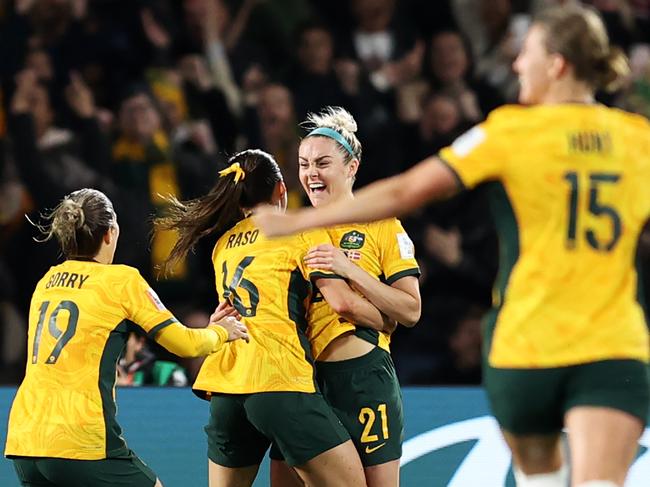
249 181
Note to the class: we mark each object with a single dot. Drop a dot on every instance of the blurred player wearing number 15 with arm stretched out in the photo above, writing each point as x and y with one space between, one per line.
566 343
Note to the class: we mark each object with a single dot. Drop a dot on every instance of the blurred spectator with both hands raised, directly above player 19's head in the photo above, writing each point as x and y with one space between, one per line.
51 161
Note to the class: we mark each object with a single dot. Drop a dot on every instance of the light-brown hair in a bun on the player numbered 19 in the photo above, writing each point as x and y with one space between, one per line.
79 223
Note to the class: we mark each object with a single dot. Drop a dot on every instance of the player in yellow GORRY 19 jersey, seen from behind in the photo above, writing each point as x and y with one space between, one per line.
62 427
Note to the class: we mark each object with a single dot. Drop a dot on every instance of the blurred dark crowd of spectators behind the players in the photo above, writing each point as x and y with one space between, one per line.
140 98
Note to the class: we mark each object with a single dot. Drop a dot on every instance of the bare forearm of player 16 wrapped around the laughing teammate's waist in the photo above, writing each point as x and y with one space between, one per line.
353 307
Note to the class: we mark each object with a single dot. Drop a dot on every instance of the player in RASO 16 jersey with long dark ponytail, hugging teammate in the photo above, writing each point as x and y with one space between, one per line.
265 391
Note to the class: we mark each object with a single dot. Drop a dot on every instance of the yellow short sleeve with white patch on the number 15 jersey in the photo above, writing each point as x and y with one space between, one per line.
480 153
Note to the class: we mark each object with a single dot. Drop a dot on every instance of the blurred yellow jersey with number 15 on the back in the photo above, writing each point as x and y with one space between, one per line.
569 194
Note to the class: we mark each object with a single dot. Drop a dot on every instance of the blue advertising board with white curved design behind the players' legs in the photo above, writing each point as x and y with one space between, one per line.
450 439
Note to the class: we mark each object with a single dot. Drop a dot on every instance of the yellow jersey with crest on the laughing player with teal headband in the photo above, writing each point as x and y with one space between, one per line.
384 250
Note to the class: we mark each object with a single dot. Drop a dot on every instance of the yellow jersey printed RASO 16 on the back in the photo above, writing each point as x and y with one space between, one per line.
269 284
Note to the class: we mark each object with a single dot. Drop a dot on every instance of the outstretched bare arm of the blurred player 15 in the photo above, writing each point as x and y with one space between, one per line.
429 180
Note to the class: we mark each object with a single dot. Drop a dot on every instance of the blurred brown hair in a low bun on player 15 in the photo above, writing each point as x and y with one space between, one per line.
578 34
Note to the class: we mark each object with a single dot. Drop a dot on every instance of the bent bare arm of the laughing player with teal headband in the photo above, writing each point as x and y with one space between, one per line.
399 301
